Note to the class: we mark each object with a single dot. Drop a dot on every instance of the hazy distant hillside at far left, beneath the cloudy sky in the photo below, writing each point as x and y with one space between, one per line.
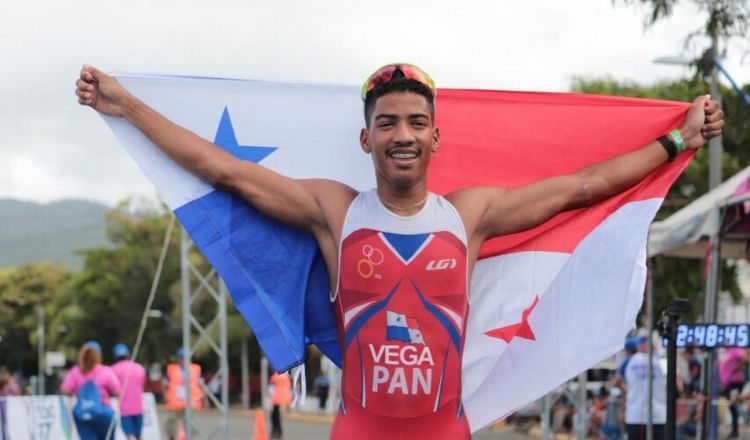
35 232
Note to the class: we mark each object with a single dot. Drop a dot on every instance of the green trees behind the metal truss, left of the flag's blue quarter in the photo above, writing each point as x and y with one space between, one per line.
106 299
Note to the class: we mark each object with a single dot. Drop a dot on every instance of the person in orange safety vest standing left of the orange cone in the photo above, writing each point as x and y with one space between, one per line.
175 393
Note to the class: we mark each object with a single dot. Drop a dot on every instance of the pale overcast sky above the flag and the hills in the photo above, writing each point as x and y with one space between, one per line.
52 148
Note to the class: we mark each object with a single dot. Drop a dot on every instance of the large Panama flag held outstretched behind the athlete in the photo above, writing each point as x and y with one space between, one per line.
545 304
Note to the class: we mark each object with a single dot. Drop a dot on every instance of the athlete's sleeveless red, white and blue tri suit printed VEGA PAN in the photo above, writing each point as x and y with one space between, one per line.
401 305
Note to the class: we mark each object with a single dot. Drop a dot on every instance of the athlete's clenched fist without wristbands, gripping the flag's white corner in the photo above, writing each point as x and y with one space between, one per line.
100 91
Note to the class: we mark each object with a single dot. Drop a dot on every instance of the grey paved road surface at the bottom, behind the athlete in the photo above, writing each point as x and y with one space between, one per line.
298 427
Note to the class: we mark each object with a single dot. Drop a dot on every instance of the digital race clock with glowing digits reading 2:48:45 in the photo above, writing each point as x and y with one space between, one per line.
712 335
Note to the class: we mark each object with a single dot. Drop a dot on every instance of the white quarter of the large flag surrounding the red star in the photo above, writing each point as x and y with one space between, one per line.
581 318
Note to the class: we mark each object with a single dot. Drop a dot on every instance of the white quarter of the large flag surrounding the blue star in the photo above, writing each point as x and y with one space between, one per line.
315 126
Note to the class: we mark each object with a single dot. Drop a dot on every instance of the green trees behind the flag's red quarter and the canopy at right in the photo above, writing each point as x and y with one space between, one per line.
675 277
